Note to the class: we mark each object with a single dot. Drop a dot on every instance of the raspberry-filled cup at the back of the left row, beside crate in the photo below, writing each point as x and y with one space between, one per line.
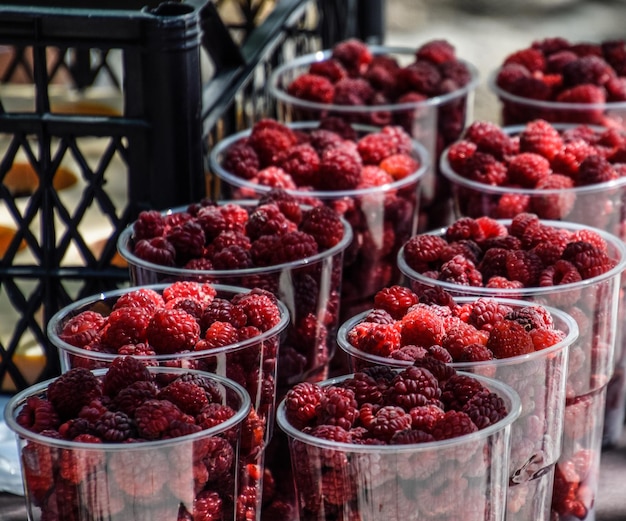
427 90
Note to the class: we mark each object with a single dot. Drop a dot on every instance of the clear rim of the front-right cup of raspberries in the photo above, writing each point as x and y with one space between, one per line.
503 390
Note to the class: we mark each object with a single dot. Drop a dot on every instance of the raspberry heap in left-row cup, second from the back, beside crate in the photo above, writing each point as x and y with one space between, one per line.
331 157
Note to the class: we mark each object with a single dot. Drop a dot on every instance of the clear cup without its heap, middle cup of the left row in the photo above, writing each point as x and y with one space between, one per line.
310 288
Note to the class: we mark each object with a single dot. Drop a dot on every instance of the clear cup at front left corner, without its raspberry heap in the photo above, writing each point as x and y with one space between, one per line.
134 481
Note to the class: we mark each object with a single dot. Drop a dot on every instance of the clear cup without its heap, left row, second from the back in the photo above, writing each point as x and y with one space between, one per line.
382 219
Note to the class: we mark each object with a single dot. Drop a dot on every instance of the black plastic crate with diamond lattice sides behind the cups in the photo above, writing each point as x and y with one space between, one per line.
128 97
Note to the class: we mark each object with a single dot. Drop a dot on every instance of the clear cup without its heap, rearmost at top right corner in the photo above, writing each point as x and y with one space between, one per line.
516 109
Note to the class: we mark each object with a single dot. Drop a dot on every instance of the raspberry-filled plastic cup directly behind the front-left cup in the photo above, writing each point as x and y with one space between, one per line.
225 330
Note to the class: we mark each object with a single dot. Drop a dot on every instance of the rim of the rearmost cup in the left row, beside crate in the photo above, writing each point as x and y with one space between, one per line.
280 94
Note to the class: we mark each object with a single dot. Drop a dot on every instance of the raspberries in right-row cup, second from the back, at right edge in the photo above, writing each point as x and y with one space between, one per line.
544 160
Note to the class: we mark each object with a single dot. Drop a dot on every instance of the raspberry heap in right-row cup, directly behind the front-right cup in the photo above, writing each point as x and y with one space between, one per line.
402 328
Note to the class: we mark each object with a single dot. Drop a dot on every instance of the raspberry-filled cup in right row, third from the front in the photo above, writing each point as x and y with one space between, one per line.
571 267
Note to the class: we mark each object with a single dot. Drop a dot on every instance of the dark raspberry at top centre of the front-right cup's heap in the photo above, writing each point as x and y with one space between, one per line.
413 387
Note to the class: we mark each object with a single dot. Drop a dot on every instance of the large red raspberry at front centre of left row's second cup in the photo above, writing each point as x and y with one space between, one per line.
172 331
